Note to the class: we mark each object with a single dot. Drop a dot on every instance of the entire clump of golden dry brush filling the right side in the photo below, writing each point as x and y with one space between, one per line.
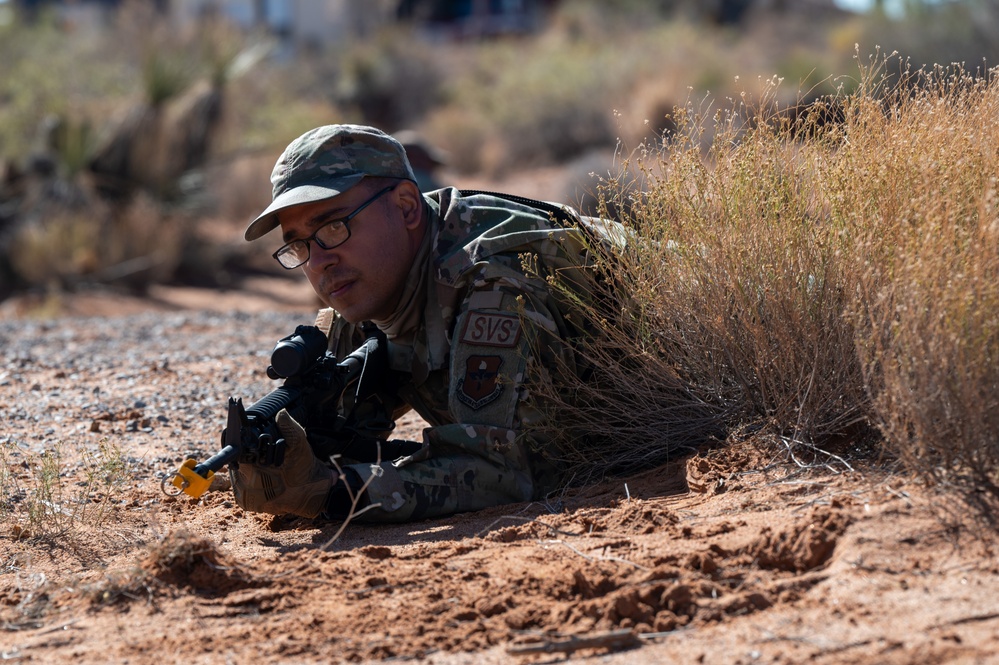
820 282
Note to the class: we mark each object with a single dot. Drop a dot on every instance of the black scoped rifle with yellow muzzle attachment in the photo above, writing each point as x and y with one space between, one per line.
313 379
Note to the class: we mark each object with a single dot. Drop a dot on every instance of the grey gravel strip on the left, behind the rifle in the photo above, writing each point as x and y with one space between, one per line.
155 384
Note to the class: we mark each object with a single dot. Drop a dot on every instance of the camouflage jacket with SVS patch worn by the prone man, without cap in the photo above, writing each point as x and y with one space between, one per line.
479 323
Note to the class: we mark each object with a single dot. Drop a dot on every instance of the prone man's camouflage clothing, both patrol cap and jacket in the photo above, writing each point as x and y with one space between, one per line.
473 326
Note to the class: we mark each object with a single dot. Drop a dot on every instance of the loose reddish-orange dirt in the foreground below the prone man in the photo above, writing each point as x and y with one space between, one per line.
725 557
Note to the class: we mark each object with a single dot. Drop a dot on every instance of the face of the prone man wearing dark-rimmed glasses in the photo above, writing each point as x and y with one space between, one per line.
363 278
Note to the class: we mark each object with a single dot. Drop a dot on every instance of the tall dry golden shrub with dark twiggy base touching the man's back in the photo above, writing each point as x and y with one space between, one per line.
731 295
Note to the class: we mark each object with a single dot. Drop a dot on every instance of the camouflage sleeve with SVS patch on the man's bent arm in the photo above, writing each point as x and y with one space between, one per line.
505 331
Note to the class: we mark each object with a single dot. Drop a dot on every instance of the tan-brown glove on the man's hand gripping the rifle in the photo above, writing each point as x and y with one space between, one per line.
299 485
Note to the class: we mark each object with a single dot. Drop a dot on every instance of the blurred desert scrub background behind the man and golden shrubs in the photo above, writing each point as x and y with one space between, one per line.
137 136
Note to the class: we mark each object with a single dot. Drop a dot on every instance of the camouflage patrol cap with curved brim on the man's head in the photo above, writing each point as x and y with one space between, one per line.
325 162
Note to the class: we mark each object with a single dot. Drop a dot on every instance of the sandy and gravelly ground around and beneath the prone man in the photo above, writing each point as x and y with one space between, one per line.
729 556
